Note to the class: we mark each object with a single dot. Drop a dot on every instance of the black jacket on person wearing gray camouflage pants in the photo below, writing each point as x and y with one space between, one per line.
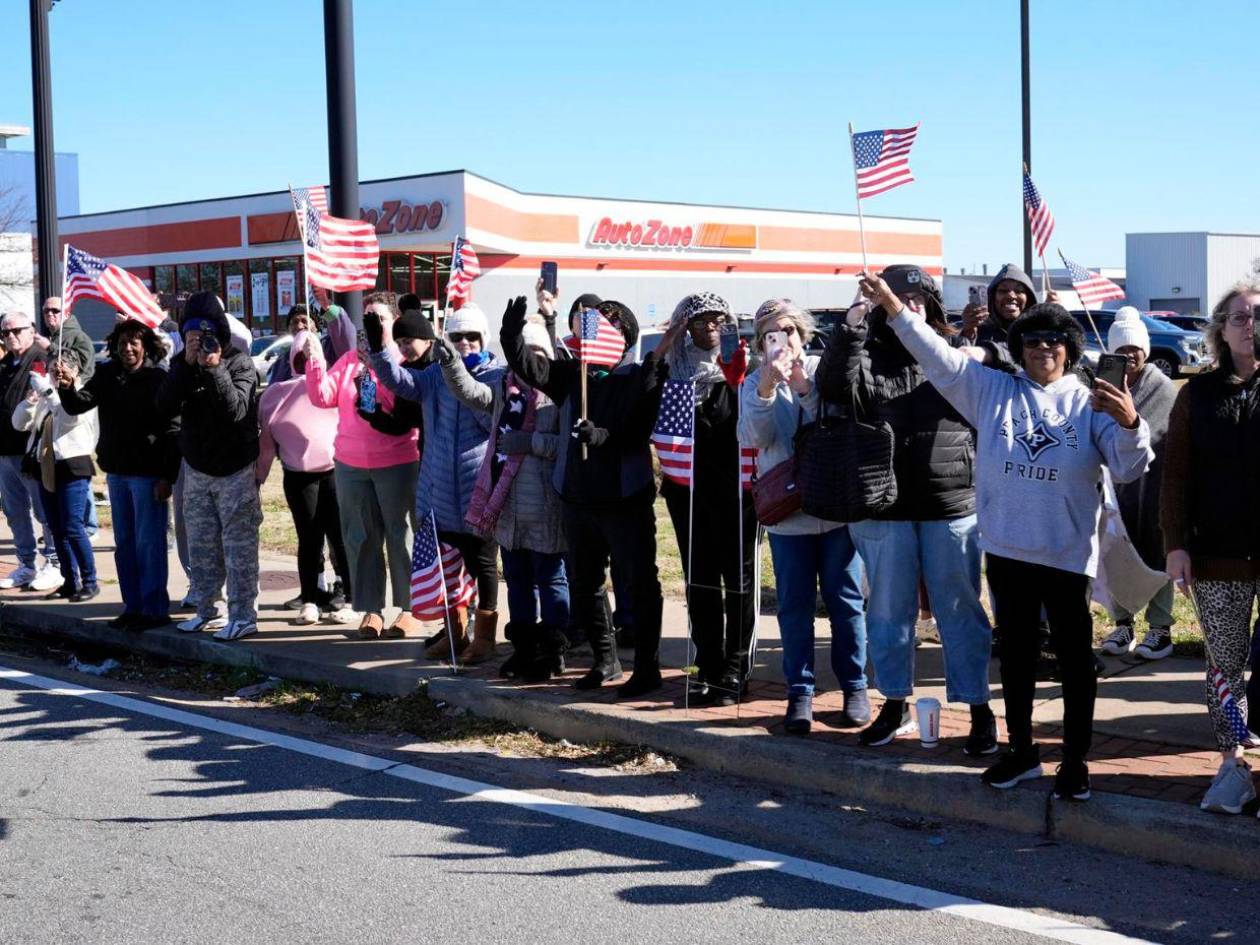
219 410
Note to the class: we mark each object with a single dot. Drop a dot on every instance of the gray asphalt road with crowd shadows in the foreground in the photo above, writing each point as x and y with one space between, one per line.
123 826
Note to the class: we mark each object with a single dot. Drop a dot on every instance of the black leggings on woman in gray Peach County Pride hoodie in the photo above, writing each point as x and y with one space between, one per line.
1020 592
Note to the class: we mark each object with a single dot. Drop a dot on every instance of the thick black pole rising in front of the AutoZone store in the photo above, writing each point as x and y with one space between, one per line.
343 147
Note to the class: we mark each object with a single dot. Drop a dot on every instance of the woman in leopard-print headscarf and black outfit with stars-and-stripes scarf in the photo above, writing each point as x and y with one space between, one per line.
705 496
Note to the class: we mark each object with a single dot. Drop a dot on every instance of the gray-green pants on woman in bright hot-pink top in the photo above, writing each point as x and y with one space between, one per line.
376 508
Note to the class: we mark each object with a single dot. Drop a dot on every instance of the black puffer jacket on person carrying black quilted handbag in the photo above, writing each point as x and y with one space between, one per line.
934 457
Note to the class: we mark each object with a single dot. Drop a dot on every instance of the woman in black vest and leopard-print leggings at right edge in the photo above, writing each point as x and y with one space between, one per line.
1210 516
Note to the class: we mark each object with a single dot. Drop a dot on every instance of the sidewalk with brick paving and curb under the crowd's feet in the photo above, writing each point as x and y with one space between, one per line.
1152 758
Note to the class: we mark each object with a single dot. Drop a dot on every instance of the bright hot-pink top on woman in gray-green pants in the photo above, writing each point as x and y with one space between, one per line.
357 444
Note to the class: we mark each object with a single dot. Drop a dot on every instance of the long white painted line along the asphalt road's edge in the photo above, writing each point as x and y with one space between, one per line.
739 854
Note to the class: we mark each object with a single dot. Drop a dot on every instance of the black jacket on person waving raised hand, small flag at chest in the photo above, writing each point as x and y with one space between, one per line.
624 403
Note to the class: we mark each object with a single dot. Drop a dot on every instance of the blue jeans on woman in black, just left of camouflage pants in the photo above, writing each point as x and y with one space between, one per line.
139 545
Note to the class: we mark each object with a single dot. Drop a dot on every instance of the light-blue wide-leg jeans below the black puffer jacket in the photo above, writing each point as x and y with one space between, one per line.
947 555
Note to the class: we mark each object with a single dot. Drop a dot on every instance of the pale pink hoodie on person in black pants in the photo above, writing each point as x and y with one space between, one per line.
289 424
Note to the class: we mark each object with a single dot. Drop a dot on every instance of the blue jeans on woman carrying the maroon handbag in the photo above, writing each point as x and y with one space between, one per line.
803 564
